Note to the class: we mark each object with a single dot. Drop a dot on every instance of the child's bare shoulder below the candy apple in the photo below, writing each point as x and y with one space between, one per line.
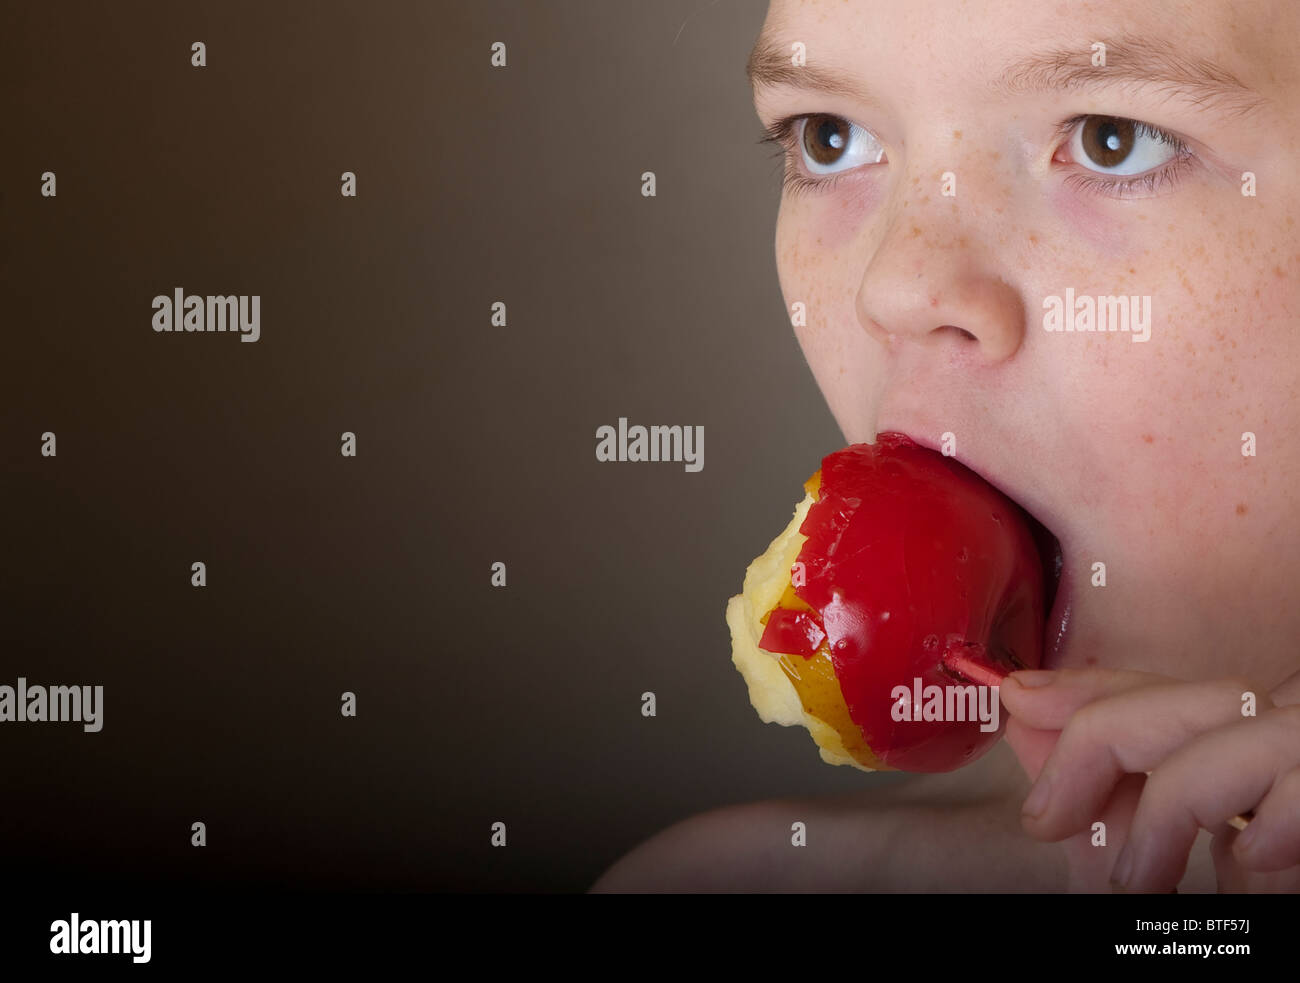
933 833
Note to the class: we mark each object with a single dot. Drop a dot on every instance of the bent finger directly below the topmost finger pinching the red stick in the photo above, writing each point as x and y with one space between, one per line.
1130 733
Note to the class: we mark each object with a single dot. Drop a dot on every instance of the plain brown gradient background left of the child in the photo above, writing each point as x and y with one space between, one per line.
475 444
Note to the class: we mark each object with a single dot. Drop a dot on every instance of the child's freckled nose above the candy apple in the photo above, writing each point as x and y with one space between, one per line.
930 284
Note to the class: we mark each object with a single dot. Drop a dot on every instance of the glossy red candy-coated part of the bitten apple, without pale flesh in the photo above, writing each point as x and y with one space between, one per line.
909 560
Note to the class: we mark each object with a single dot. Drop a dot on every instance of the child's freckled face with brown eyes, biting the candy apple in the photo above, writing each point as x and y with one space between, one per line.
926 310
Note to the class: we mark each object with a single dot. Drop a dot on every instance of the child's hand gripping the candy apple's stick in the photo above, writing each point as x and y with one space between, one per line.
1090 737
